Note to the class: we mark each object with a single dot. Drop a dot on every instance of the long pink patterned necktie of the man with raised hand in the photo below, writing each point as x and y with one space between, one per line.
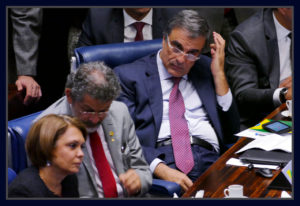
179 130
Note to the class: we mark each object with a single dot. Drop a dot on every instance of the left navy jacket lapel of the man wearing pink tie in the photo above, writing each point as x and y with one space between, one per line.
153 87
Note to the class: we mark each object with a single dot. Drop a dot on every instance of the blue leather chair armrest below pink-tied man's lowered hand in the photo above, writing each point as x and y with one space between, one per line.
164 188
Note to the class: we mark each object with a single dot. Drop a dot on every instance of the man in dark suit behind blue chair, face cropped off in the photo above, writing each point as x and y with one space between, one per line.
107 25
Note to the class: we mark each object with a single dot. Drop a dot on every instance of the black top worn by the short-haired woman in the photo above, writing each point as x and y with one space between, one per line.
29 184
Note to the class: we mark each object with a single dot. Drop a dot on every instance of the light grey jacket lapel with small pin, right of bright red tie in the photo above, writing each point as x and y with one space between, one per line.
114 144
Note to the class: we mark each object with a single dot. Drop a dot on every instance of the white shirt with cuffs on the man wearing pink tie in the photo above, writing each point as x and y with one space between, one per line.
195 114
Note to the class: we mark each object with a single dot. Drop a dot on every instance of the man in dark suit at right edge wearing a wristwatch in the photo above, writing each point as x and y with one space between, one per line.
258 65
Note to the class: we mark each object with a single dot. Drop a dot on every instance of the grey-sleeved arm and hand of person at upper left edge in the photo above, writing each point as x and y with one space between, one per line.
26 31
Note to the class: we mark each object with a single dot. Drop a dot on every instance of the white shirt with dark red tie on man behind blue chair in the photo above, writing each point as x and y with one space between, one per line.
130 31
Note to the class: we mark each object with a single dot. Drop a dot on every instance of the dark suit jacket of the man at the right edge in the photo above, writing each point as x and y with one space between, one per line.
252 66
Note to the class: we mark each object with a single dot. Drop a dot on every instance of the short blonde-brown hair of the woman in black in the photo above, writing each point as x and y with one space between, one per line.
44 133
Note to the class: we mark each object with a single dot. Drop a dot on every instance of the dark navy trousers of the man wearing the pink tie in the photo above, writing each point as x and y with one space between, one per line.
203 158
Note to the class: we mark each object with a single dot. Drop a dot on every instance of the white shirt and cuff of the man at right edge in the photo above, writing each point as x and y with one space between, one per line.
284 43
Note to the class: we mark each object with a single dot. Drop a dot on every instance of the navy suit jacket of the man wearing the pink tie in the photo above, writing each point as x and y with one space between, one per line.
141 92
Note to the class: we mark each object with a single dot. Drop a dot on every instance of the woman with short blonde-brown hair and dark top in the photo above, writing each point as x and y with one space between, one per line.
54 146
